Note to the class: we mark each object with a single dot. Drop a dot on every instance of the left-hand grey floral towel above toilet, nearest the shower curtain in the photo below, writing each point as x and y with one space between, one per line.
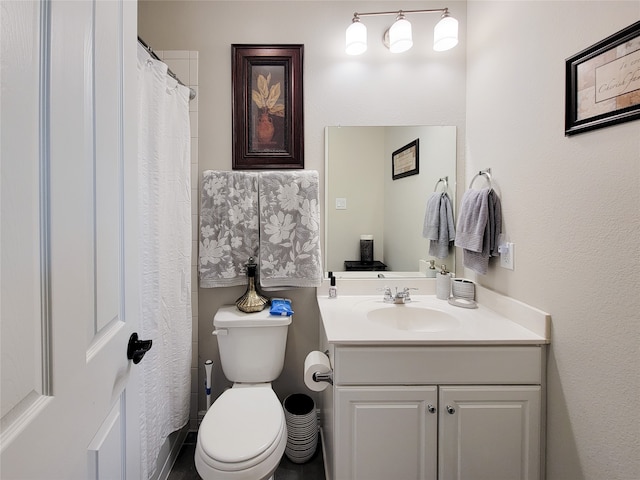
228 227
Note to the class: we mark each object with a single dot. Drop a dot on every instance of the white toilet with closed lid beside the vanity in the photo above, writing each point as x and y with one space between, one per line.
244 433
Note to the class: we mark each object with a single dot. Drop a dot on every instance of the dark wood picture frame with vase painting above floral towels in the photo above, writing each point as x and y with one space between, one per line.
268 122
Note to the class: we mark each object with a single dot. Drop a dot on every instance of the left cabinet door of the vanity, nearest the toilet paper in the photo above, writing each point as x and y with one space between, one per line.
386 433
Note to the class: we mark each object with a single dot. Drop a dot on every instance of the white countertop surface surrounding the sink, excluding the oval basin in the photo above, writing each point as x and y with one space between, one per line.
507 322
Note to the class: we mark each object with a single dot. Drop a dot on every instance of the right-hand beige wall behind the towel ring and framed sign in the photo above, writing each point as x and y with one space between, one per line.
572 207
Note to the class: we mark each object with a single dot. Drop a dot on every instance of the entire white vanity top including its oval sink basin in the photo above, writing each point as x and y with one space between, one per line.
363 319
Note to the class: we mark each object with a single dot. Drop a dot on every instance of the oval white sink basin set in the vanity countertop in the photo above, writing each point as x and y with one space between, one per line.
415 319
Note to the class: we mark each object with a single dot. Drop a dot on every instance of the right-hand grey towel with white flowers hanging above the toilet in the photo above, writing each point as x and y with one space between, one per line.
289 229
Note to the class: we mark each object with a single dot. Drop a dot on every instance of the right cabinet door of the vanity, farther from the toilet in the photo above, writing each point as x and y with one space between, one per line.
489 433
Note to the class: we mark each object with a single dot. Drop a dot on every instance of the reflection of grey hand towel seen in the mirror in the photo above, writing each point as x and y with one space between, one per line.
438 225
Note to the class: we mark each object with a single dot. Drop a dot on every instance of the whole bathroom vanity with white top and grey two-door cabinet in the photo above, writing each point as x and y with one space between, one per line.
431 391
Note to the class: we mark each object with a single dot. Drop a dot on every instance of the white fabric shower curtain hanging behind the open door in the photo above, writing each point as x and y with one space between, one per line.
165 252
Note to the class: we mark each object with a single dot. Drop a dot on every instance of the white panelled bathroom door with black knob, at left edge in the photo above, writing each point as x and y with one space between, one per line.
69 284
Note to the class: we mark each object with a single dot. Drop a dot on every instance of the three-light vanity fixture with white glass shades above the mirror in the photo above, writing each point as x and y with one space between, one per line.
398 38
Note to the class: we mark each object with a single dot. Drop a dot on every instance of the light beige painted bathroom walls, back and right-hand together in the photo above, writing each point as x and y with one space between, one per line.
571 205
